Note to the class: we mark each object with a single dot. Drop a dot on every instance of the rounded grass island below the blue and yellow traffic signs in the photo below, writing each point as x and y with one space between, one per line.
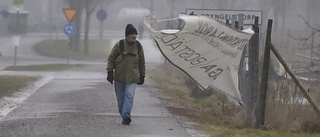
97 49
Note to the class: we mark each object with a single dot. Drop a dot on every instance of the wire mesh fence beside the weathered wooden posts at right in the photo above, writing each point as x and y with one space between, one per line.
286 107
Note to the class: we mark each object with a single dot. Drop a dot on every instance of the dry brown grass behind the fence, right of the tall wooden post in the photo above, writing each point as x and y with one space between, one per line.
287 109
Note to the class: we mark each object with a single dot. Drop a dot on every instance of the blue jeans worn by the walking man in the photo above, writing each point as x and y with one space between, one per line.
125 95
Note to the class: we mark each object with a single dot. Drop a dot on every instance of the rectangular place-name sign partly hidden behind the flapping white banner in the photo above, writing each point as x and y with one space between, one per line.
222 15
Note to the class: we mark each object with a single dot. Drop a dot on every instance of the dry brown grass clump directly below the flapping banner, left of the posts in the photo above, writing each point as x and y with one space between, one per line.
210 106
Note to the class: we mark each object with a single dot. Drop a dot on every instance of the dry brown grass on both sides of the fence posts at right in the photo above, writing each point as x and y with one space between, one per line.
213 111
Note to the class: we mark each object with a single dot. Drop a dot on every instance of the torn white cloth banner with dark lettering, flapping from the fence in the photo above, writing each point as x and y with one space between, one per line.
206 50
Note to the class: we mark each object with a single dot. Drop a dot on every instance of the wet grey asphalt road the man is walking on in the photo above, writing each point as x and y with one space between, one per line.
81 103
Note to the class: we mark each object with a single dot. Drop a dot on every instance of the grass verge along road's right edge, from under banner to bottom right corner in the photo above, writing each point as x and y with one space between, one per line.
214 117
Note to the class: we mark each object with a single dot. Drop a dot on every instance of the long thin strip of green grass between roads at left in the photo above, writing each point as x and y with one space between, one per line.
43 67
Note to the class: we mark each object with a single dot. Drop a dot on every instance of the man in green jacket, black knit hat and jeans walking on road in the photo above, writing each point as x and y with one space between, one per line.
126 67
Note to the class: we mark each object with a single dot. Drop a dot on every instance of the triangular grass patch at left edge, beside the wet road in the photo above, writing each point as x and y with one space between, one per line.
11 83
